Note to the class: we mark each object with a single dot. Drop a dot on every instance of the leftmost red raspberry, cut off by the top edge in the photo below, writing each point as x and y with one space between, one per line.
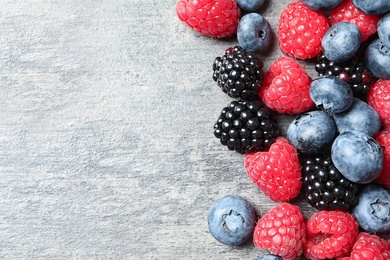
215 18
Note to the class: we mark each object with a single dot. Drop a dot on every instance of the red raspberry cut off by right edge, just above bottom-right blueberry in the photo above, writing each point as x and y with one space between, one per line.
383 139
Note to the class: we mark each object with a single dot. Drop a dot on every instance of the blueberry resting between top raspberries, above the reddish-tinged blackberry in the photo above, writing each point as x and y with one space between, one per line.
341 41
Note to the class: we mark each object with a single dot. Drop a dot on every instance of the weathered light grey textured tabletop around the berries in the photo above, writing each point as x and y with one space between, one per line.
106 135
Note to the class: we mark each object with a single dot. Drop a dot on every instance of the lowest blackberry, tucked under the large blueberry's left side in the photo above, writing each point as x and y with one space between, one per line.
325 187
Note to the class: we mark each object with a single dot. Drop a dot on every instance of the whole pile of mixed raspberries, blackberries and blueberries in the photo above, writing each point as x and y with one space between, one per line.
336 151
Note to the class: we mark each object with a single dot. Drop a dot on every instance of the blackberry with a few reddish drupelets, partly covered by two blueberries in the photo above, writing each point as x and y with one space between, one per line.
352 71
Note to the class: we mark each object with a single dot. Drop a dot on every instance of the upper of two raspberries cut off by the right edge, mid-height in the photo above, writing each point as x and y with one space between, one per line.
378 98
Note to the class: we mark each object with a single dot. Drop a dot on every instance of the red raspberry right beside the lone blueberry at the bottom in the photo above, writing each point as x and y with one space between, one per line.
281 231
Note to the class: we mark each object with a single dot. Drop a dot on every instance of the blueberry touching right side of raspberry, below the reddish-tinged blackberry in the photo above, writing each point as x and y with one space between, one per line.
331 94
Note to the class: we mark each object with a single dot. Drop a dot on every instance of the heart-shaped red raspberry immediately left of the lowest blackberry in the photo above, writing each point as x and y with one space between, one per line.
276 172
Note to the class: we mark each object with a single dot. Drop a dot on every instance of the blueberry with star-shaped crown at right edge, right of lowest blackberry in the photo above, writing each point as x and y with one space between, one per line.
372 211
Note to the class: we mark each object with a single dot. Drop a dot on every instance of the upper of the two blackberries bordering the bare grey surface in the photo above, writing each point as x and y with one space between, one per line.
239 73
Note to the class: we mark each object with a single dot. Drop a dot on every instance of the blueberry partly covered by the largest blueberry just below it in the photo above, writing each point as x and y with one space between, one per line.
359 117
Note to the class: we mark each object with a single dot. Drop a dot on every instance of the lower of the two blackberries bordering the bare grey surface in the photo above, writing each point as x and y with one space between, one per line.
246 126
